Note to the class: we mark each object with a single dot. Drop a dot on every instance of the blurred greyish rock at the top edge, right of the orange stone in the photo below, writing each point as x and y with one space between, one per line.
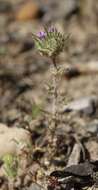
58 9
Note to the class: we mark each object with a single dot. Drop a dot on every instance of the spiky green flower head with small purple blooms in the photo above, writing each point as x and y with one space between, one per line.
50 42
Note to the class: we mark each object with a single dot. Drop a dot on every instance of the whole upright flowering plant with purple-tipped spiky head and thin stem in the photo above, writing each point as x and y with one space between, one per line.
50 42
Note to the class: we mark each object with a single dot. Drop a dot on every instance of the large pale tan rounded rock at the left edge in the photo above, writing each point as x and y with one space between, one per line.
8 137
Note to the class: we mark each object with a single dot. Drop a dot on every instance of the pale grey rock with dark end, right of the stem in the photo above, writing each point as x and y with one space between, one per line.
85 105
